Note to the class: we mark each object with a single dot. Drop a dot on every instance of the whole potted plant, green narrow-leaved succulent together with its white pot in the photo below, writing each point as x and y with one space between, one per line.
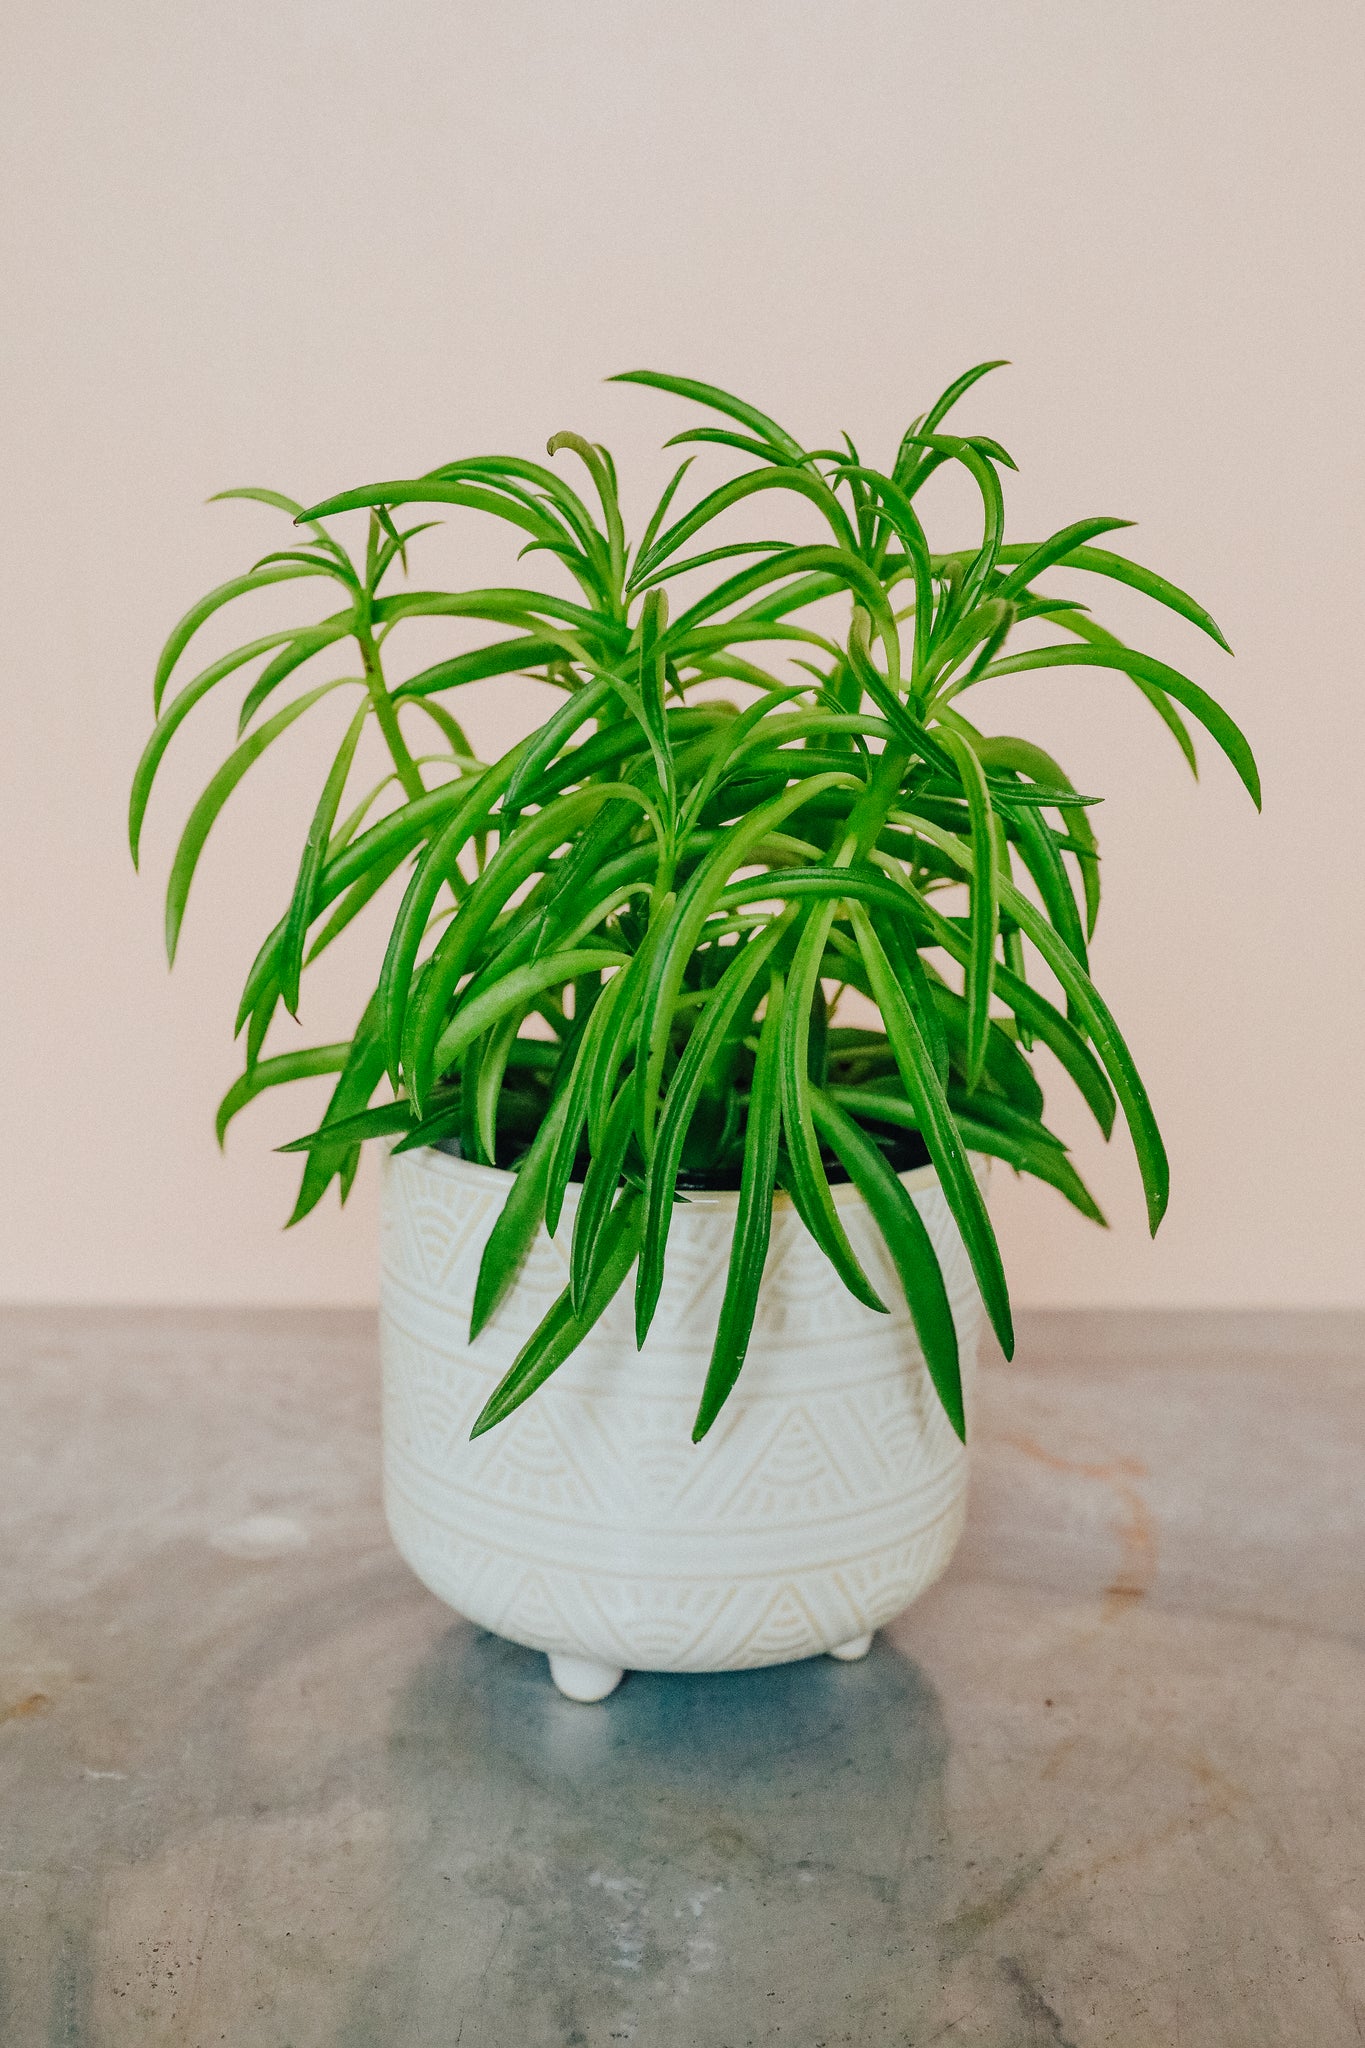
725 978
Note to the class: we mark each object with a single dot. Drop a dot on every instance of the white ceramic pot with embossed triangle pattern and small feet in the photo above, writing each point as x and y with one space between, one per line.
828 1496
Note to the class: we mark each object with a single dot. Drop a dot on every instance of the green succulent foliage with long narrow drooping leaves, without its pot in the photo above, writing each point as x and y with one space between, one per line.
623 947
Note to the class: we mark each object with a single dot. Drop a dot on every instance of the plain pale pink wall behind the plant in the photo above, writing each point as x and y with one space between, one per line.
312 245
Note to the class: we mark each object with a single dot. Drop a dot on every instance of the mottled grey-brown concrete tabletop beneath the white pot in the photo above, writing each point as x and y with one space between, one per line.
1104 1785
